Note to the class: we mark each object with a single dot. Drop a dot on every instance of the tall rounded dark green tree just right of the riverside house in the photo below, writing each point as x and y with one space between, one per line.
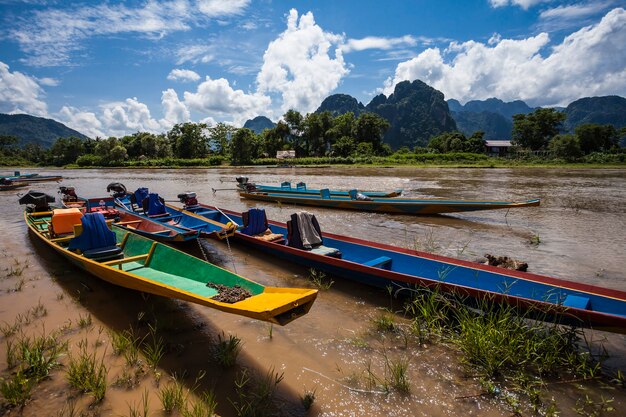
534 130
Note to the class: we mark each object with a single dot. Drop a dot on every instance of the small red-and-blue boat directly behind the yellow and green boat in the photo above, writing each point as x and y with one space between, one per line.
154 229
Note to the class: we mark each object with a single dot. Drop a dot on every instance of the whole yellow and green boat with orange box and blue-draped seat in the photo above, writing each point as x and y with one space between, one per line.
132 261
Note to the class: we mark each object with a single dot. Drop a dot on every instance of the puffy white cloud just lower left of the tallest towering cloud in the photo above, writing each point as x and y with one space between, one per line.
217 97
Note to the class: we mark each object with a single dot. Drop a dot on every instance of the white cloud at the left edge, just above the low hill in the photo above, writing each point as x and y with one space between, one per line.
20 93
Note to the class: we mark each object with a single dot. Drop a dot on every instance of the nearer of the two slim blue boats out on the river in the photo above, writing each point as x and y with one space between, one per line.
386 205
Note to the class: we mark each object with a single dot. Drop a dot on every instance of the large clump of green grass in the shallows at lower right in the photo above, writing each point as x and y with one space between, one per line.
511 352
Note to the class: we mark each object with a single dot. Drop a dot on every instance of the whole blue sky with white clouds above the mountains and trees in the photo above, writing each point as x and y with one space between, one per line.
117 67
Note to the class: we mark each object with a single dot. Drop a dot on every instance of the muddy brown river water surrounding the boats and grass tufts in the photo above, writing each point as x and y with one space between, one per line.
578 233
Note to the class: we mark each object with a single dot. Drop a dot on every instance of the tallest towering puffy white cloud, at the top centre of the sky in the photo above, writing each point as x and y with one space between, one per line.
299 66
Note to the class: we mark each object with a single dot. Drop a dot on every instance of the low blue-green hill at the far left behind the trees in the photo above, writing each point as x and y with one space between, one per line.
35 129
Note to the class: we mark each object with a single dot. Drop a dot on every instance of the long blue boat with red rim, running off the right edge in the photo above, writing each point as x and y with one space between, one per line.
384 265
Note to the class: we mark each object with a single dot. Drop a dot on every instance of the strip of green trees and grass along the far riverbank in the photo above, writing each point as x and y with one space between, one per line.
321 138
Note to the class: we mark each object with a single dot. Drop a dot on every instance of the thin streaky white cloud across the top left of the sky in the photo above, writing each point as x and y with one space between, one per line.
50 36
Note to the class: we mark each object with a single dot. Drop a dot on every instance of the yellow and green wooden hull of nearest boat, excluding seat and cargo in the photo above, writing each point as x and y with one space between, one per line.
158 269
